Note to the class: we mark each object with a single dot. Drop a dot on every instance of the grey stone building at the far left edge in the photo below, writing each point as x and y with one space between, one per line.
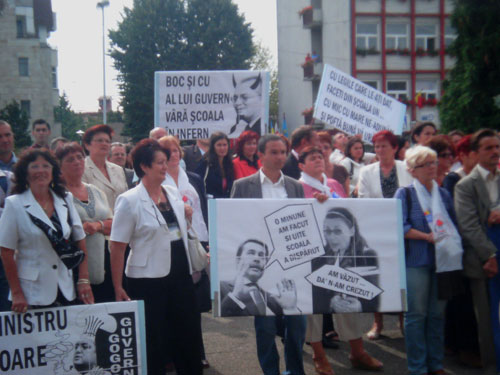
28 65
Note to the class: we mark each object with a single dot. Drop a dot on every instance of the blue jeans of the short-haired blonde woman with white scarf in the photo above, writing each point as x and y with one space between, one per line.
424 321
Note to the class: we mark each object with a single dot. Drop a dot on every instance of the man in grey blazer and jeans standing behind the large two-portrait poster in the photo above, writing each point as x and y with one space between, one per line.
269 182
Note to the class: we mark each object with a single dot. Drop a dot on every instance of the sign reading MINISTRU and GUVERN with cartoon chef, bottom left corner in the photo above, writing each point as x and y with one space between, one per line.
99 339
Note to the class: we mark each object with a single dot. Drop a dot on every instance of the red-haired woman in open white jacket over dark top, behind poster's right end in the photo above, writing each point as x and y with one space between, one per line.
381 180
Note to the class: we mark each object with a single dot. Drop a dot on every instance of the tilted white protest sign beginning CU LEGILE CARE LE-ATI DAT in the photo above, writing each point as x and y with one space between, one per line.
352 106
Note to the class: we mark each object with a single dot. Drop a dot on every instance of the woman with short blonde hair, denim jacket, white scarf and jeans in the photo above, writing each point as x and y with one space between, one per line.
429 222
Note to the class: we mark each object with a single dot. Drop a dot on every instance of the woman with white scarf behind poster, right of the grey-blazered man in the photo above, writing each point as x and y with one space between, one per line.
314 182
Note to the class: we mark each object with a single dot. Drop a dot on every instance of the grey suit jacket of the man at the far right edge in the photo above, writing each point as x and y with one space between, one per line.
472 205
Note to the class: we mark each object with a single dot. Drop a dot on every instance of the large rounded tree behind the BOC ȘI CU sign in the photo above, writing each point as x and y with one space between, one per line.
158 35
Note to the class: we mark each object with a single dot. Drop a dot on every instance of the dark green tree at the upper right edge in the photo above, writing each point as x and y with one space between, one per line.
468 102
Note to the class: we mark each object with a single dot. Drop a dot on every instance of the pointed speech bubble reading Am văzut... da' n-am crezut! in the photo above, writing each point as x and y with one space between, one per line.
347 281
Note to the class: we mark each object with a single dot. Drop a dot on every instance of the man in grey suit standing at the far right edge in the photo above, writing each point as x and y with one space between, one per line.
475 196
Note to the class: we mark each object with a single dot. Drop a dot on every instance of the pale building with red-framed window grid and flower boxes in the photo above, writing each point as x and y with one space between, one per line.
396 46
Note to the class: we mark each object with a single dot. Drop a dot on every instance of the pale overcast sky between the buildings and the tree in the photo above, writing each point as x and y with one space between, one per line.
78 39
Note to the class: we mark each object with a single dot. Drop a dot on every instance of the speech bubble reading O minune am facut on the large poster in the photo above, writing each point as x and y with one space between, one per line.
295 235
